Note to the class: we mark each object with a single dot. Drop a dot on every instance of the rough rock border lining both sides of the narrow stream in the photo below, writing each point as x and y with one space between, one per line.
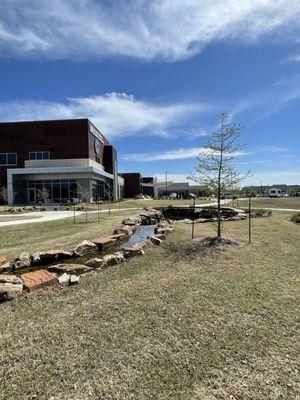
11 286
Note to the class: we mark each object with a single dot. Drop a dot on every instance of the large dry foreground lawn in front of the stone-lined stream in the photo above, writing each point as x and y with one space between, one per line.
180 323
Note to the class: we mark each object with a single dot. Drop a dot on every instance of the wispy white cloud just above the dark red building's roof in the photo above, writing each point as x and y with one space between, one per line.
115 114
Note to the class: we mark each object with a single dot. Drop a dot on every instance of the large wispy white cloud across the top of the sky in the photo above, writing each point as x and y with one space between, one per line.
145 29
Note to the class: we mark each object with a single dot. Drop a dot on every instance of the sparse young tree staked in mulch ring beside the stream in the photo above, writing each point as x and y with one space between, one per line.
216 168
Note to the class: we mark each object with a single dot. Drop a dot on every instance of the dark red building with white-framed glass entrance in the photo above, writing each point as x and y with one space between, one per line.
69 158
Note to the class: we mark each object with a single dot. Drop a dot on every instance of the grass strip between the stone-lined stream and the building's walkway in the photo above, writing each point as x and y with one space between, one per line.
57 234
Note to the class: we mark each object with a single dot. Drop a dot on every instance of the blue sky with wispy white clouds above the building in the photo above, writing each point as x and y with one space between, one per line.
154 76
